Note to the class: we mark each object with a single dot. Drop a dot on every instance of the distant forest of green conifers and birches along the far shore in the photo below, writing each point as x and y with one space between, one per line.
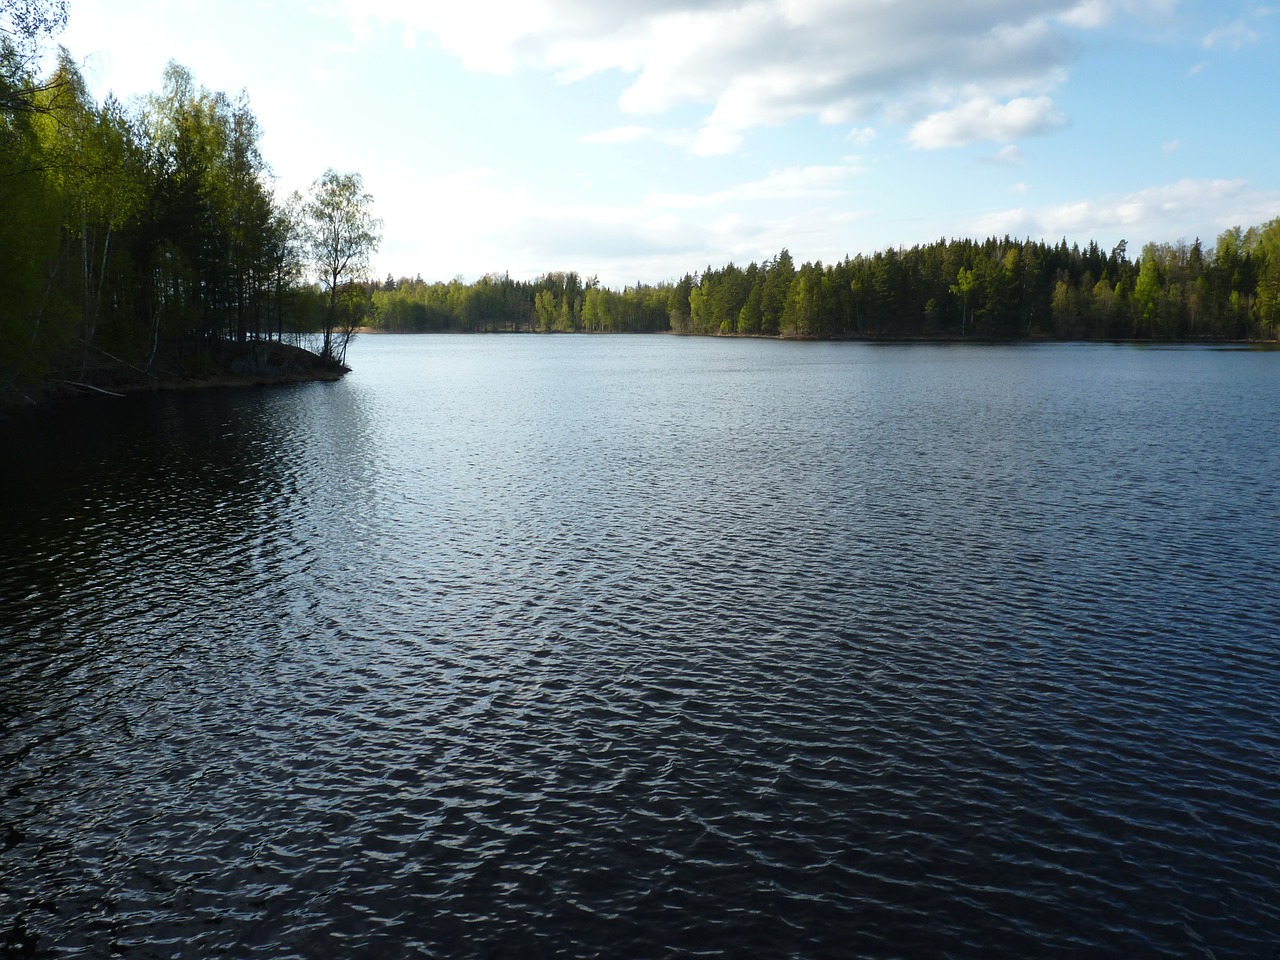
1000 289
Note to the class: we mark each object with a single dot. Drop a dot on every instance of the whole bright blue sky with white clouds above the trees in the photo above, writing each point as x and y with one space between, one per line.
641 141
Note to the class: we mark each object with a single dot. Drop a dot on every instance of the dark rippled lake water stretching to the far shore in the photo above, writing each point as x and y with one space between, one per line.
647 647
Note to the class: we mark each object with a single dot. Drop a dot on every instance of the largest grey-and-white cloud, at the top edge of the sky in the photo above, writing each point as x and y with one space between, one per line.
758 63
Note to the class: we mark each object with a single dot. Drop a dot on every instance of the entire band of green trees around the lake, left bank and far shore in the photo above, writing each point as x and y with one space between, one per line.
144 246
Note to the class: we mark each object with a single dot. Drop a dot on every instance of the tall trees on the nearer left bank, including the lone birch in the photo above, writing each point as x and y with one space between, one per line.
143 235
